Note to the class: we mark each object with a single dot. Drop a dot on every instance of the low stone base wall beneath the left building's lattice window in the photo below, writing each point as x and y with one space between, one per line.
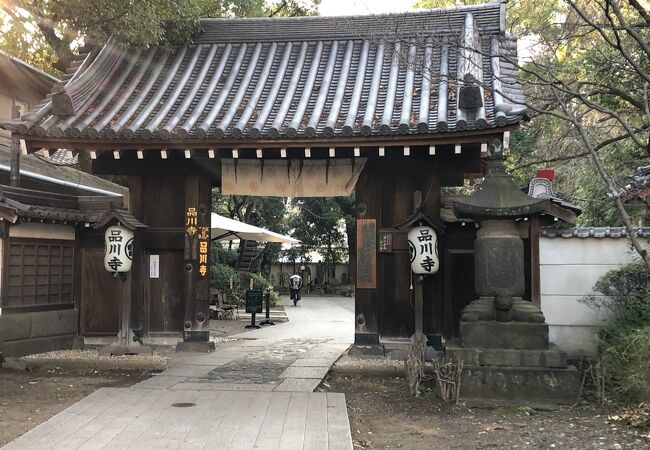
36 332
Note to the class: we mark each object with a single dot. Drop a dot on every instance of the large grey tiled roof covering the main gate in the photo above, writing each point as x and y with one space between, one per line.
307 77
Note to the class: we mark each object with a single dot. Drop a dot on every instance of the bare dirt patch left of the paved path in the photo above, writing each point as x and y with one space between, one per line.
30 398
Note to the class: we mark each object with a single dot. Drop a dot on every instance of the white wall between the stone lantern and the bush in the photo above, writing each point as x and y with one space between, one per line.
569 269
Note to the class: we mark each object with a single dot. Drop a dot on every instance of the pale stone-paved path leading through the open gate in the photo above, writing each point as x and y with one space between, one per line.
252 393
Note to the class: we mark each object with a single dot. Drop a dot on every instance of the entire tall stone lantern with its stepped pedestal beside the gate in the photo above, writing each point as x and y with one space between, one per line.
504 338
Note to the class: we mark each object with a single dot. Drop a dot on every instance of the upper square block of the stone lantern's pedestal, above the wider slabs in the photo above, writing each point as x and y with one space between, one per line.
493 334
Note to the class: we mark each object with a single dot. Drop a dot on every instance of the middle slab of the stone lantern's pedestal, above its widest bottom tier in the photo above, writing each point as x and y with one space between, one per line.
553 357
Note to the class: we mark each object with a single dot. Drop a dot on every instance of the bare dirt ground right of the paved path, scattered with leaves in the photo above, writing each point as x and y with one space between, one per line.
382 415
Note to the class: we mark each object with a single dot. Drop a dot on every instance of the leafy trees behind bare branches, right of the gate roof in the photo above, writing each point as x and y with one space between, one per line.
587 83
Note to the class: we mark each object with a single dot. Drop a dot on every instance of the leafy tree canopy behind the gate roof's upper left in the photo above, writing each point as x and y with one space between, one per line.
47 33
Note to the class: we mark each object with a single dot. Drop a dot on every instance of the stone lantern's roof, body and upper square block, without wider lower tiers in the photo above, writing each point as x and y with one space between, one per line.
499 263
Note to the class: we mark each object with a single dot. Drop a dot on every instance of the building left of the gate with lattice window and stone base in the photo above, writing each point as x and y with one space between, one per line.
41 224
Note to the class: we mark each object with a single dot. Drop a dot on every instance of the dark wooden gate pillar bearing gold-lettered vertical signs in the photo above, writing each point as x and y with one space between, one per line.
197 259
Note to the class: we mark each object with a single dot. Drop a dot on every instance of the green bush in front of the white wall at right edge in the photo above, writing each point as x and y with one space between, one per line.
626 341
